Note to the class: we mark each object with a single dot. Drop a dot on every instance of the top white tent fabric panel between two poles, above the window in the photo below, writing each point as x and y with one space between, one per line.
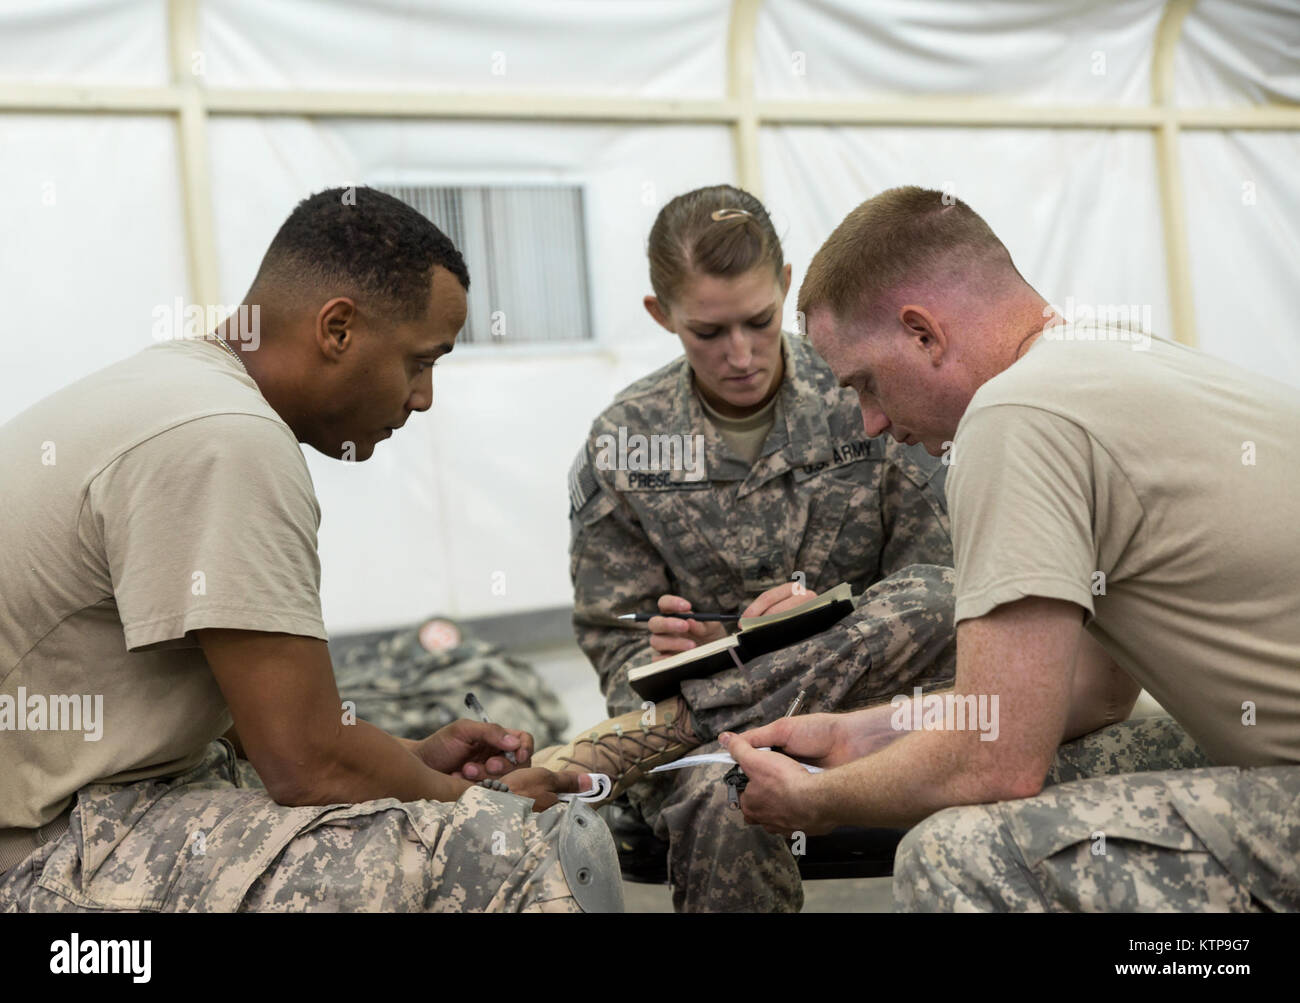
652 49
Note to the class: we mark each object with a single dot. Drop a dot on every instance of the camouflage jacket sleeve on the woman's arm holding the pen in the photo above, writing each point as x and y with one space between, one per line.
616 570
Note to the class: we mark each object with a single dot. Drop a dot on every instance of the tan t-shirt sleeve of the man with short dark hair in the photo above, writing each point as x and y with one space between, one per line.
211 524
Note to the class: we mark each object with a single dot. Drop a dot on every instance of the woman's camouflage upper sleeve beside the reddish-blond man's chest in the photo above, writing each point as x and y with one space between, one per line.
913 515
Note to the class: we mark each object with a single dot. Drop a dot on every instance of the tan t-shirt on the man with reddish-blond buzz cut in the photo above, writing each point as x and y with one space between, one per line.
1158 490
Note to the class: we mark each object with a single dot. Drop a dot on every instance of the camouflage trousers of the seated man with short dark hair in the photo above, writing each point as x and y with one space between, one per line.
210 841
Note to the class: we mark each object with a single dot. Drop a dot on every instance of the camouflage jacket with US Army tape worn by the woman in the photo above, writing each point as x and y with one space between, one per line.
824 500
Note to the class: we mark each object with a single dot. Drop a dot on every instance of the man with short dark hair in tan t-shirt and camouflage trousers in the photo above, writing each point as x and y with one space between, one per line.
161 572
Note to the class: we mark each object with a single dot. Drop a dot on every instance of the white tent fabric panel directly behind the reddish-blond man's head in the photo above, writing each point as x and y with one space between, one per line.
1082 238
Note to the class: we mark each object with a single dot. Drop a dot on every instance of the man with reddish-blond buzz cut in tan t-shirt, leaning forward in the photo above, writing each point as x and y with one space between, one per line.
1124 515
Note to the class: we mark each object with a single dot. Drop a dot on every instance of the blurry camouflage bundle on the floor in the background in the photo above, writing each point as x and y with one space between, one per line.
409 692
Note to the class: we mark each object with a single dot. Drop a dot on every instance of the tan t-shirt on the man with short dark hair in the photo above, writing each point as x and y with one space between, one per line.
154 498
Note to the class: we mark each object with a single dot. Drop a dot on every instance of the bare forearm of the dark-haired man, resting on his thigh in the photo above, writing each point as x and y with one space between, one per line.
365 763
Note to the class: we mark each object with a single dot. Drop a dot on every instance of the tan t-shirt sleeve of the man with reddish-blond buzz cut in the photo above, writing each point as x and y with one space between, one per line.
1021 496
